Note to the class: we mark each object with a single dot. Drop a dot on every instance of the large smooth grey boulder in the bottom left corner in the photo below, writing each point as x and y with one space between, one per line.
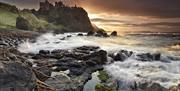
16 76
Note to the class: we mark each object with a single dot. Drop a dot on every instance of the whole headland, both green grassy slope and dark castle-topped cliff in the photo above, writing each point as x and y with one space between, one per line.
58 17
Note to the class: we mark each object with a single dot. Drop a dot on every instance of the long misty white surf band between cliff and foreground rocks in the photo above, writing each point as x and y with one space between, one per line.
49 42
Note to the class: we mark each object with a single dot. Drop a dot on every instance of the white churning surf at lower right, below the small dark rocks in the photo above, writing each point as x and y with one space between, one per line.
167 74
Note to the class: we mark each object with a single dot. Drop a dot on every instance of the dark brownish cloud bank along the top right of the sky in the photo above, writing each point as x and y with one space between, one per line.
151 8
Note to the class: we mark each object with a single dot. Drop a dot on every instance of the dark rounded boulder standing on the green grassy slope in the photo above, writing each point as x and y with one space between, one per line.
22 23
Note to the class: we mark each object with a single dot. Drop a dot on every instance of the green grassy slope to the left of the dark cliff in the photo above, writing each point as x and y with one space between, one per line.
8 21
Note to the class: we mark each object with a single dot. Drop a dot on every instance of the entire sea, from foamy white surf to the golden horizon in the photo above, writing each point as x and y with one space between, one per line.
165 72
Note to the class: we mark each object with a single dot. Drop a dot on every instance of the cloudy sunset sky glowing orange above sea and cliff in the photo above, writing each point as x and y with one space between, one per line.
125 15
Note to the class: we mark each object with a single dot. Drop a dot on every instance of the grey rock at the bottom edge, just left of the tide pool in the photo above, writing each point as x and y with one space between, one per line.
64 83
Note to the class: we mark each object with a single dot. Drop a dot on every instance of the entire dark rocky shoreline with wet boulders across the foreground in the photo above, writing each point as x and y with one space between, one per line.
62 69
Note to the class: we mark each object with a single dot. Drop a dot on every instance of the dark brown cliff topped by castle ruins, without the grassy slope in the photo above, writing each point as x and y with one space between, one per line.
75 19
